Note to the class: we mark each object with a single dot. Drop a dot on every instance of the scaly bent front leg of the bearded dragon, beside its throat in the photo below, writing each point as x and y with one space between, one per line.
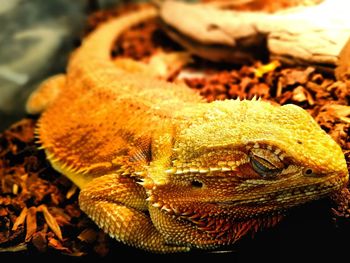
117 205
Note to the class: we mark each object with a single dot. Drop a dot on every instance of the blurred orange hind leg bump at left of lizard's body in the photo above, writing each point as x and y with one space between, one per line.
45 94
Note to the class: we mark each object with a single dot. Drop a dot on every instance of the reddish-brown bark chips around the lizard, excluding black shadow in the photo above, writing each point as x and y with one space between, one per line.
38 207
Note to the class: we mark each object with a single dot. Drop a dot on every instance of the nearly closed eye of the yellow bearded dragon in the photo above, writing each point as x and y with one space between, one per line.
265 163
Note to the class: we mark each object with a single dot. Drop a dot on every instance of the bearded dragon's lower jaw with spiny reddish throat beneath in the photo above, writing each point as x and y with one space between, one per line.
210 224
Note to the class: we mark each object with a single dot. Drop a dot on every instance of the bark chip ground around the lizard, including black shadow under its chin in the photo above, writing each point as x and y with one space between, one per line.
33 196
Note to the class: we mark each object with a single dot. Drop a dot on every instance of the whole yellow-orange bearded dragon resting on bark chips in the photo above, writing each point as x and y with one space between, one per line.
162 170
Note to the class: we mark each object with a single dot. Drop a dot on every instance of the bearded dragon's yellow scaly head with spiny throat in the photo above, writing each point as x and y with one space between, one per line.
236 161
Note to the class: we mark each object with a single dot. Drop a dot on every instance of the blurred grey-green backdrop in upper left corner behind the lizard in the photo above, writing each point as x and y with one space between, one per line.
36 39
